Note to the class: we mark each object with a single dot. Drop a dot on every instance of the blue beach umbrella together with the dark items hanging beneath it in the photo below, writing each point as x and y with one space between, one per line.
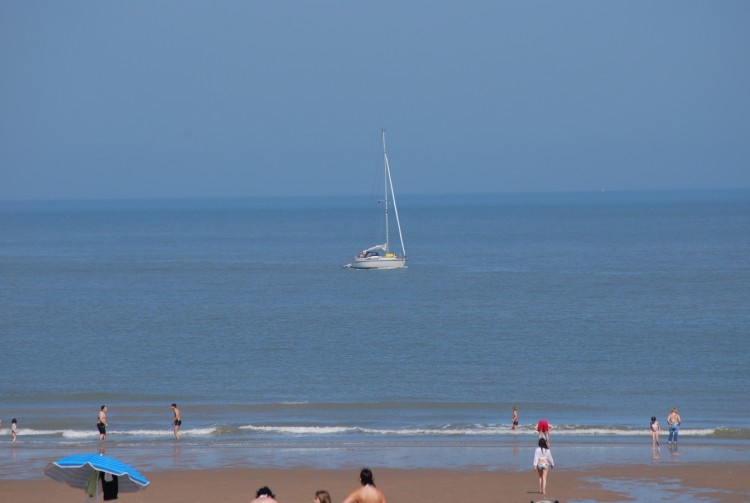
84 471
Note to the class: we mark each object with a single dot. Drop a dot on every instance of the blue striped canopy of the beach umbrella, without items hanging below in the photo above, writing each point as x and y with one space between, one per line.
75 471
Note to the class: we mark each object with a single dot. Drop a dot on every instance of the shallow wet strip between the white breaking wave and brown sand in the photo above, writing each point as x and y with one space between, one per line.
26 460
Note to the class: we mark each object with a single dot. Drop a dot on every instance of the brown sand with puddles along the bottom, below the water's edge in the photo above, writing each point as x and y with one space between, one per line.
688 482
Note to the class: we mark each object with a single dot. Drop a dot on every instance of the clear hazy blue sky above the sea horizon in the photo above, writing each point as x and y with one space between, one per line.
109 99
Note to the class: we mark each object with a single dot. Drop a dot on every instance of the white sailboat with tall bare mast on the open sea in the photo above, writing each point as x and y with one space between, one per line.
381 256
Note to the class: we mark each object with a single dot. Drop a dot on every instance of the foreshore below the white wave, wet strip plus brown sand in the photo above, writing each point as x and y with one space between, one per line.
585 472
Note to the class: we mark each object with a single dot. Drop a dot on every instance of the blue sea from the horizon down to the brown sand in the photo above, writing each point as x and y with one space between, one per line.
592 310
